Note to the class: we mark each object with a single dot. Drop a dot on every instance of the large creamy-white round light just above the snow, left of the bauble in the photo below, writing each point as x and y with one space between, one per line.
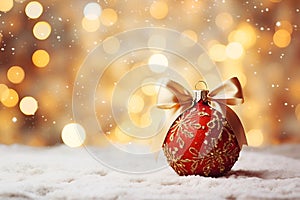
73 135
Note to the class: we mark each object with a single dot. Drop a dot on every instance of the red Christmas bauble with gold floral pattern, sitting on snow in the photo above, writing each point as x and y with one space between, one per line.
201 142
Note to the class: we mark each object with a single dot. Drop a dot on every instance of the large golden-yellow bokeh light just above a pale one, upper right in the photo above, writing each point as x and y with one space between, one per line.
245 35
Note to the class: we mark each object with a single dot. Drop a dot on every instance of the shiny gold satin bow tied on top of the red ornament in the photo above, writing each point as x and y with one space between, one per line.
173 95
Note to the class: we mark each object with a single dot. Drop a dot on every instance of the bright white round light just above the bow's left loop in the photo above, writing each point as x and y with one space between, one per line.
158 63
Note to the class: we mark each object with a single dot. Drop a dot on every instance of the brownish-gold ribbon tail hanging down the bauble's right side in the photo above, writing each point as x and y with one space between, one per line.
236 126
